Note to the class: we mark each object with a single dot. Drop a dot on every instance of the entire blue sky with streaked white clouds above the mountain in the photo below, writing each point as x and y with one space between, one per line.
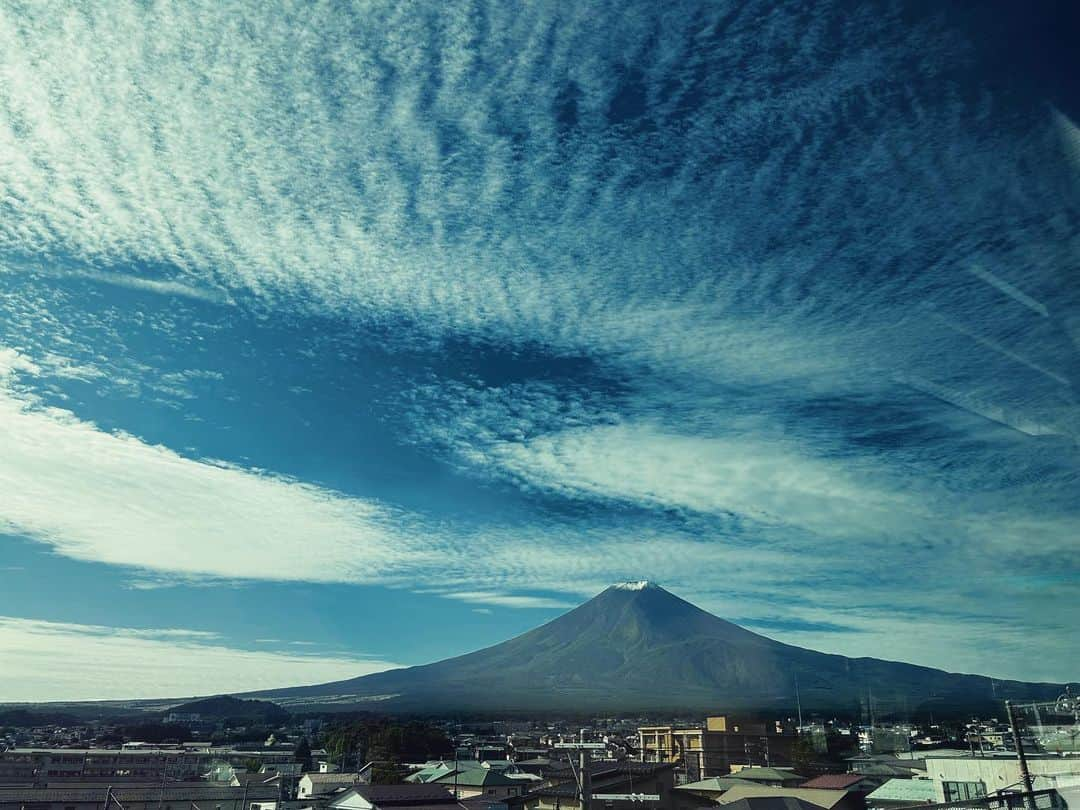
335 337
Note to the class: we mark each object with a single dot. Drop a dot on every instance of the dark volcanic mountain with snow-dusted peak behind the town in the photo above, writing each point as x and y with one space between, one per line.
639 647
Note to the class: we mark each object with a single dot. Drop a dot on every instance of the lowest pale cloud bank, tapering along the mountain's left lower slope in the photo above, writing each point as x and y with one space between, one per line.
125 664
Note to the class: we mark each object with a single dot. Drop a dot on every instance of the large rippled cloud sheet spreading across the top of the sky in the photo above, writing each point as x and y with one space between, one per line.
358 174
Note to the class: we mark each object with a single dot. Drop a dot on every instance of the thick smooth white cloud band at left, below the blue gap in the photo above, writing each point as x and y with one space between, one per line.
113 498
